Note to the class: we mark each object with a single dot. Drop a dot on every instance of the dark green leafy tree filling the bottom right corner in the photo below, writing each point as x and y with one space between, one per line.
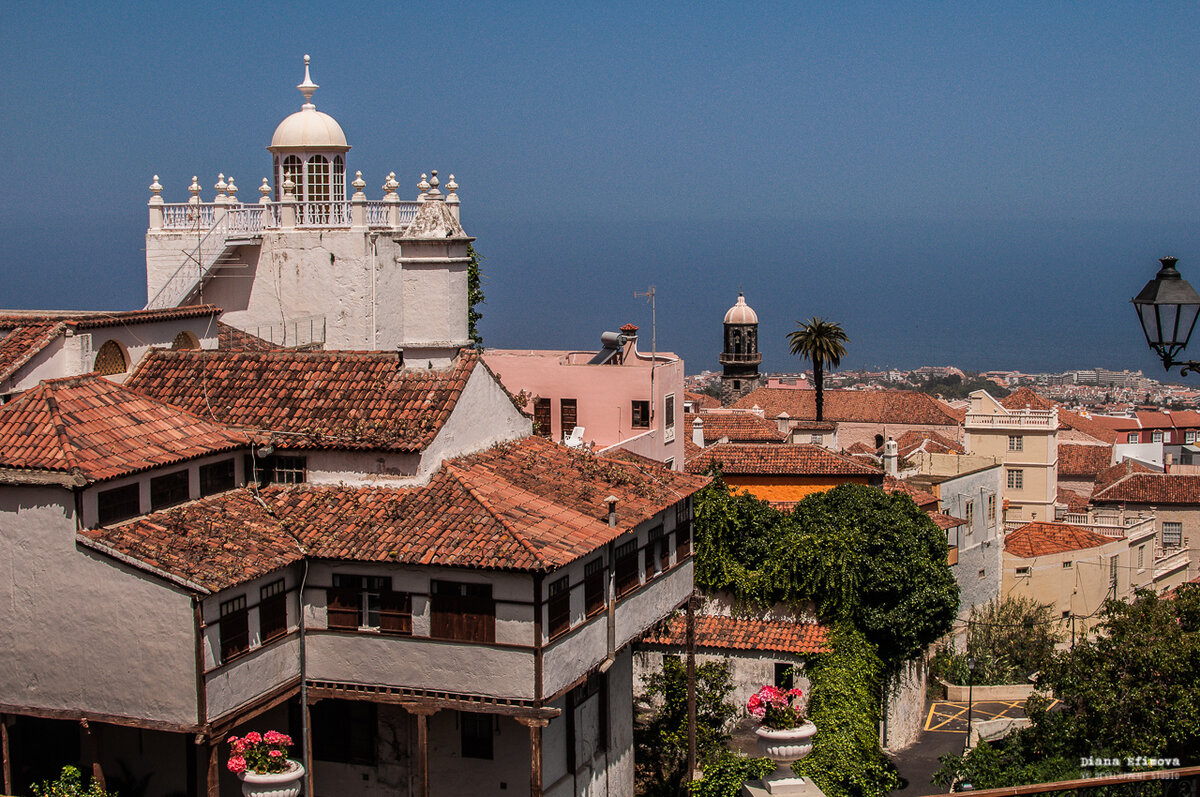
1129 692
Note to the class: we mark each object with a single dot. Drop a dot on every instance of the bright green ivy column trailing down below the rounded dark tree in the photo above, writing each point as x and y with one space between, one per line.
847 760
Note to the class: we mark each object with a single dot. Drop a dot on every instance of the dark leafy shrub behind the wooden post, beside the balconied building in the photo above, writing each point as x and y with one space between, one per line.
661 736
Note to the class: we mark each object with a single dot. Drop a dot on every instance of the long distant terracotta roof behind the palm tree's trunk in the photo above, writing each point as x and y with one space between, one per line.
855 406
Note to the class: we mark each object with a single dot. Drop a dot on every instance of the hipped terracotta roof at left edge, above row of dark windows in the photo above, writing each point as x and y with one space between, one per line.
98 429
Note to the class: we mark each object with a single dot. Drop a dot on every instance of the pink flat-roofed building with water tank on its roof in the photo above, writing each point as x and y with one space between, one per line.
619 397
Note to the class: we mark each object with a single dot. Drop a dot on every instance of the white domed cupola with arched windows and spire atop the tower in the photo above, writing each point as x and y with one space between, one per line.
310 151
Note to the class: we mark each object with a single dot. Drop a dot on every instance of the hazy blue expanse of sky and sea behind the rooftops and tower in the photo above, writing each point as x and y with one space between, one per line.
979 184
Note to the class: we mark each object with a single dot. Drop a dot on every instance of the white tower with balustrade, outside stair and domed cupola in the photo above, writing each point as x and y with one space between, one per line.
305 266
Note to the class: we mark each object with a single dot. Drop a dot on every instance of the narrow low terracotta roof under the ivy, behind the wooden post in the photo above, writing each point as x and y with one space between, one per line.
719 632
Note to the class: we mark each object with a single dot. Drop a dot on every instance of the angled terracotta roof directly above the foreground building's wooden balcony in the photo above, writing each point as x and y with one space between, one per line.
526 506
